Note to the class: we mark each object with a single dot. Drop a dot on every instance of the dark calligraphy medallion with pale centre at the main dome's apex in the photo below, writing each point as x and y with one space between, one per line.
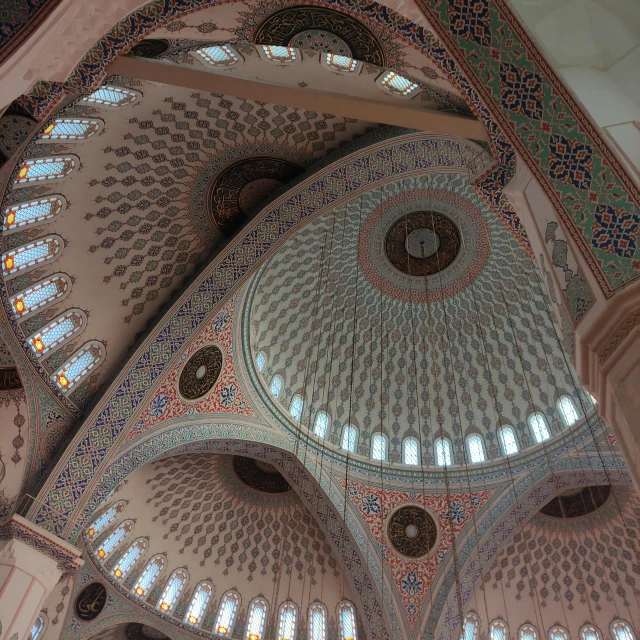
422 243
